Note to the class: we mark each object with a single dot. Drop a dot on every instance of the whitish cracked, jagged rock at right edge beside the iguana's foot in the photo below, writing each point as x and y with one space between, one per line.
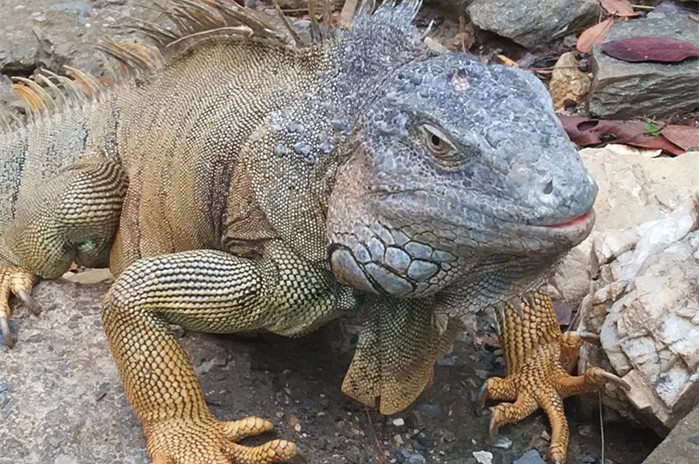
651 332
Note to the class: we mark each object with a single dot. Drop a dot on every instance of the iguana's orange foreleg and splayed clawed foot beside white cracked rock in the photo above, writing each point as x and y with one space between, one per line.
539 358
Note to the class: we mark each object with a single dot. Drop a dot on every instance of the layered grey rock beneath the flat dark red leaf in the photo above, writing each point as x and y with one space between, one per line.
622 90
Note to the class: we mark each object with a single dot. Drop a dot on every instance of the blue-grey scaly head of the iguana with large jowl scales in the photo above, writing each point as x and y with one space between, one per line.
455 163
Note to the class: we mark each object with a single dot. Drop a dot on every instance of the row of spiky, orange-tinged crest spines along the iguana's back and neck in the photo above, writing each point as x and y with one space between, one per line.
193 20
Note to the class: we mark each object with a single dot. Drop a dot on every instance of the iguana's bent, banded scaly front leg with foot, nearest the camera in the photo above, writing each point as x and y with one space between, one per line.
208 291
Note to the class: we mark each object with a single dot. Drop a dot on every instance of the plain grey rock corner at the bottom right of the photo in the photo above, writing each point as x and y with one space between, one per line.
682 445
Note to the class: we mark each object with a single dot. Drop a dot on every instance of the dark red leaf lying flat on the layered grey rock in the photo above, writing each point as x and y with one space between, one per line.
661 49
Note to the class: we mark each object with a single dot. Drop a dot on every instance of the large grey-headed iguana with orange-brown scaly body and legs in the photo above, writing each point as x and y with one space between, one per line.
233 180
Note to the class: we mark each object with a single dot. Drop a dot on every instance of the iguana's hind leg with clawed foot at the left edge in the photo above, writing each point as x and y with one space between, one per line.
72 218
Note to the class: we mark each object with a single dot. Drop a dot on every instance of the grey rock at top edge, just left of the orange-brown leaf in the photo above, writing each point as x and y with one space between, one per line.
533 22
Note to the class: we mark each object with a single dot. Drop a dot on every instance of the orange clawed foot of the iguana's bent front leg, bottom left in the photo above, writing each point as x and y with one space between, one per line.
208 441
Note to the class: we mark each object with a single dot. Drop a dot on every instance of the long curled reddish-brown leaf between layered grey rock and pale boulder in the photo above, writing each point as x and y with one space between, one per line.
586 132
